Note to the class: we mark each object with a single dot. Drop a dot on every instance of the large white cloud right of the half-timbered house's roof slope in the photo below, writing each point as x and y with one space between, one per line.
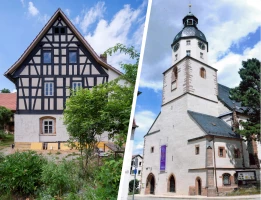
118 31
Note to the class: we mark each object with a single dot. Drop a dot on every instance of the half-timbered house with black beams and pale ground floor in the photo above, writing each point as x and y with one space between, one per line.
59 58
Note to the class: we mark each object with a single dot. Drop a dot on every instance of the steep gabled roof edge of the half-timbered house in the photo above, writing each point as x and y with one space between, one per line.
38 38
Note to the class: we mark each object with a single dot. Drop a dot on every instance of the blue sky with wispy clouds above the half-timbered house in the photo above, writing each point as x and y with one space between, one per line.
102 23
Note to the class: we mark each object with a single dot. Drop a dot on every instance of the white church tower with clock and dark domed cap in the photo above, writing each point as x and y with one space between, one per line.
190 74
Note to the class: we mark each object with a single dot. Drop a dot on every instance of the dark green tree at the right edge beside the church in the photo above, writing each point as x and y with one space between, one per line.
248 93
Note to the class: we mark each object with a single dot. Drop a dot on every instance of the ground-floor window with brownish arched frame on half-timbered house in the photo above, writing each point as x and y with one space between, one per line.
47 125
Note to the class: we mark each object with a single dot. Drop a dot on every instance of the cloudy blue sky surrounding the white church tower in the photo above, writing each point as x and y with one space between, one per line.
232 29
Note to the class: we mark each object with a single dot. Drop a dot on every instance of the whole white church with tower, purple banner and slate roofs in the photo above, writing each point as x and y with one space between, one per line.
191 148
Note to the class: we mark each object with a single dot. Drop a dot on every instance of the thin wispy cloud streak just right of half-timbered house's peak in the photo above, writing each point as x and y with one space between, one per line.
92 15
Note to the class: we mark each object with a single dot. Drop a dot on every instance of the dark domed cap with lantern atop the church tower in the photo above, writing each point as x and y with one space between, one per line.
190 29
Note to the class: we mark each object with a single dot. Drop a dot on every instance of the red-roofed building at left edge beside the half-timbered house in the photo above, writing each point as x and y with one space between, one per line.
8 100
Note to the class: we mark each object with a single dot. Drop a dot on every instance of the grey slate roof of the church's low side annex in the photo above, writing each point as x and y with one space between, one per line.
213 125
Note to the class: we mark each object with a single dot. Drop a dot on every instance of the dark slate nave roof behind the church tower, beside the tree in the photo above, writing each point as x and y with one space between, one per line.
223 96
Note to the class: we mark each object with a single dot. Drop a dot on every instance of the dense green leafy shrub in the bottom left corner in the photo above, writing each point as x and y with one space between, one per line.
20 173
